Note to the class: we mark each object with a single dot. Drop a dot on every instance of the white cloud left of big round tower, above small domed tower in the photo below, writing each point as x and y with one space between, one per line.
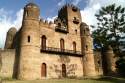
6 22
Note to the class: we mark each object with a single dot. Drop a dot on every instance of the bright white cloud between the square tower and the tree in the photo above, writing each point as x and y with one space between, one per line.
93 6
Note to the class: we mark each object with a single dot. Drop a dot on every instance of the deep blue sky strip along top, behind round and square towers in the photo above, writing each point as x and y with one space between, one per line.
49 8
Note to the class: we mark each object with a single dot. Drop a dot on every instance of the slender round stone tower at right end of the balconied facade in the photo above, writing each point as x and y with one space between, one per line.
87 51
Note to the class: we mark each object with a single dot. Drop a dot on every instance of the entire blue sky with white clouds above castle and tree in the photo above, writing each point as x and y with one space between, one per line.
11 11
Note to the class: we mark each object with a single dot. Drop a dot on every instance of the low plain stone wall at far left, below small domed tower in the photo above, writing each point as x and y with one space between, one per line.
8 58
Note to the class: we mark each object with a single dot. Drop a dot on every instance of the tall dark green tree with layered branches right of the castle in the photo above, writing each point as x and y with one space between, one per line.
110 27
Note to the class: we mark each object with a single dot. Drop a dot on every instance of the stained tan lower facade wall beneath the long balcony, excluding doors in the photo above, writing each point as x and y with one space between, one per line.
74 65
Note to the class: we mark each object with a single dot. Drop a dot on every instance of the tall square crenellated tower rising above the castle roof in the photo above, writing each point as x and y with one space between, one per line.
70 17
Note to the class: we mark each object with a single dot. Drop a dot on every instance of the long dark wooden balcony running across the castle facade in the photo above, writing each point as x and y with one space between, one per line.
52 50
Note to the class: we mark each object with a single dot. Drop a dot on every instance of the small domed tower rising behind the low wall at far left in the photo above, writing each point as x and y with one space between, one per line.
9 44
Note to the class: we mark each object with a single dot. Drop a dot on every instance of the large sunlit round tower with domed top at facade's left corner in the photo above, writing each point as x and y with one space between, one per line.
30 43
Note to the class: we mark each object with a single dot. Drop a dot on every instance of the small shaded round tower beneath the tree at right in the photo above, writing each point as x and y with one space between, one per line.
110 59
